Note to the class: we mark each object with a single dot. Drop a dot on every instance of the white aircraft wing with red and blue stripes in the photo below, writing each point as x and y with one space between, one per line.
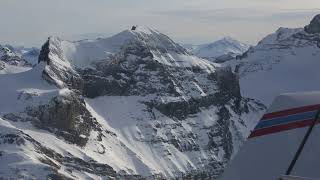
271 146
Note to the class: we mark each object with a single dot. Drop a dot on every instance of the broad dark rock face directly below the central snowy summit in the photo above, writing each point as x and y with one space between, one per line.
128 73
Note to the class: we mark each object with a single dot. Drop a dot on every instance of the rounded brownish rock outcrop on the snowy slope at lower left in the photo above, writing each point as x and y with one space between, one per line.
66 116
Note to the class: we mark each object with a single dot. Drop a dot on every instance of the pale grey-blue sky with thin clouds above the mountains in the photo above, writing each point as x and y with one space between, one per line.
30 22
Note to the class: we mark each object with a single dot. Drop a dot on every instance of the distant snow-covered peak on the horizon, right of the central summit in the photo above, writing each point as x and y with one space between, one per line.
219 51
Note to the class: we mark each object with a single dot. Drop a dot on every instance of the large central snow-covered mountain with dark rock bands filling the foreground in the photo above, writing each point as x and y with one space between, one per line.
133 106
